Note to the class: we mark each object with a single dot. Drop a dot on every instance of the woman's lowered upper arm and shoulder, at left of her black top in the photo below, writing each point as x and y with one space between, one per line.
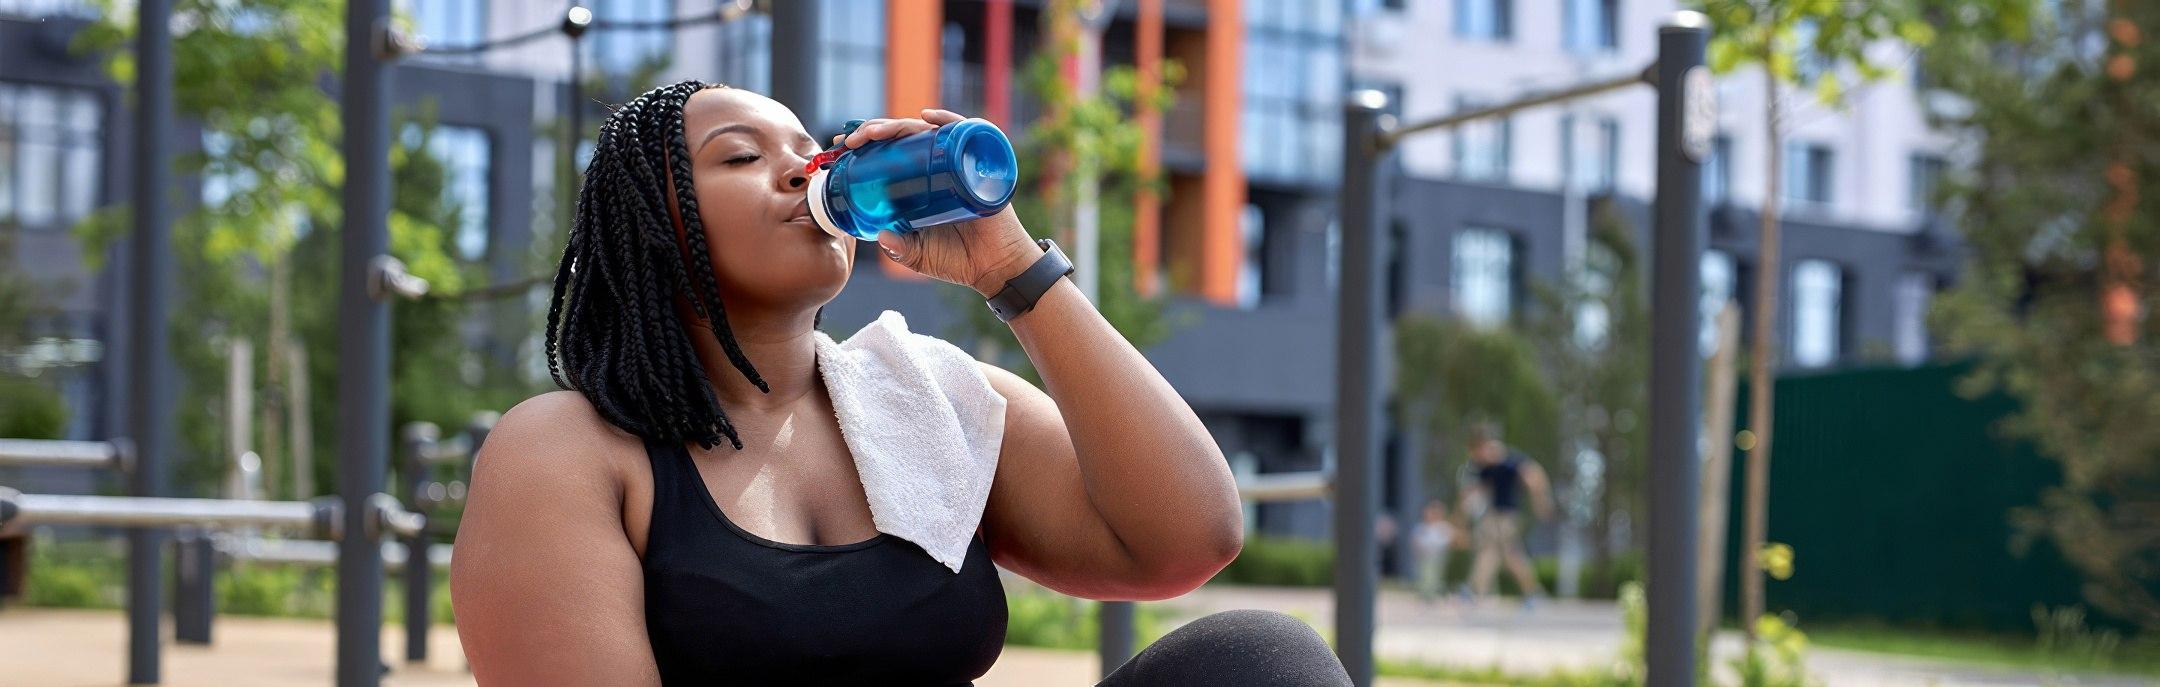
545 582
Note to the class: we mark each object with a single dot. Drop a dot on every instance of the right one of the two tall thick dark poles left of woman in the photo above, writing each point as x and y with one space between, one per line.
364 358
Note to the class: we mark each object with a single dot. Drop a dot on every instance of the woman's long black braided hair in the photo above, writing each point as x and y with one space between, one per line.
612 332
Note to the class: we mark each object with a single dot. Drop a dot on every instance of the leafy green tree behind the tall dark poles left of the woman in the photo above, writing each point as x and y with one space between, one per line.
258 258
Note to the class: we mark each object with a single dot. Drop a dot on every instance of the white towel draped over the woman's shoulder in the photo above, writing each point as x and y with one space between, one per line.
926 429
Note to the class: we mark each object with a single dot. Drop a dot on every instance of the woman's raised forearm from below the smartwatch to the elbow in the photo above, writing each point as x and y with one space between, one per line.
1148 461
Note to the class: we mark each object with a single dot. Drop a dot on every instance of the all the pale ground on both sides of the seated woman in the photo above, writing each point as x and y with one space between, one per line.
68 647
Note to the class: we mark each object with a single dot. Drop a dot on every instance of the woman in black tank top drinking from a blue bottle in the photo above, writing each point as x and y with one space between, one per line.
690 511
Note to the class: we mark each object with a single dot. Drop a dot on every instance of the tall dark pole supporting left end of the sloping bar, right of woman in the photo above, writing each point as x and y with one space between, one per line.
1358 381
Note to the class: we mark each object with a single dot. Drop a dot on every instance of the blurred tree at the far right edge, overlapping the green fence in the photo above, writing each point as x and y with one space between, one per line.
2066 241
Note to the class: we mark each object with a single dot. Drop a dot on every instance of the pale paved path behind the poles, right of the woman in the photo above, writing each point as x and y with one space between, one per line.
1578 634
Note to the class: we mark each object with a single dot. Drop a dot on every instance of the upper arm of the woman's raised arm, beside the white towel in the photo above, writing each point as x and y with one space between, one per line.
1040 520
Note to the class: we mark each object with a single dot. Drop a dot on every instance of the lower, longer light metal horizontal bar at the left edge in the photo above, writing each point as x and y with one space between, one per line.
319 517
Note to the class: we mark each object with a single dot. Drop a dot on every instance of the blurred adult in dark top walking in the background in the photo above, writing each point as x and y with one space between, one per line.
1504 476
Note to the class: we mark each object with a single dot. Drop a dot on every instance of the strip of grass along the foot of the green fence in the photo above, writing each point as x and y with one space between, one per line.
2137 658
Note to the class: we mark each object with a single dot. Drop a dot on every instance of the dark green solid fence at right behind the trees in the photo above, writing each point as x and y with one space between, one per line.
1895 496
